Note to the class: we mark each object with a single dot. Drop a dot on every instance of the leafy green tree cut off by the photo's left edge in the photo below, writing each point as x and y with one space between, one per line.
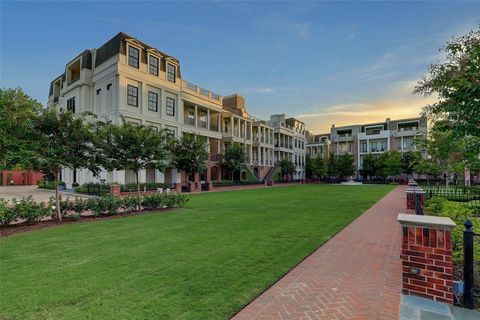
17 111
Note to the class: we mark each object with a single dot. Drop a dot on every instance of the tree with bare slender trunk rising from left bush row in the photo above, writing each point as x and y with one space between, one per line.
64 140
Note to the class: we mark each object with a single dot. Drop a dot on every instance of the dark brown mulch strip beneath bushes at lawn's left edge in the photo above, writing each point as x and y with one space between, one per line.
25 227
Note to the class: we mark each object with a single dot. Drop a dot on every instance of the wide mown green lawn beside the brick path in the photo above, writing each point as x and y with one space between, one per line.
202 262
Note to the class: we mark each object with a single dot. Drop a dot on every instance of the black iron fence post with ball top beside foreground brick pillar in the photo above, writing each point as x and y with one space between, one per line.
468 265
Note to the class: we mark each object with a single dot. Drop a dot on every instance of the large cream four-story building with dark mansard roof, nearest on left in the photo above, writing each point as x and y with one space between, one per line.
130 80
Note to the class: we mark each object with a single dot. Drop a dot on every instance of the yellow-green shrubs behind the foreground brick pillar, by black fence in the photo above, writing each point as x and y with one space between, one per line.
458 212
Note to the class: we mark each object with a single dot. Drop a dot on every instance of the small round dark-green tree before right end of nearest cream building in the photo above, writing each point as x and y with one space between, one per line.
189 153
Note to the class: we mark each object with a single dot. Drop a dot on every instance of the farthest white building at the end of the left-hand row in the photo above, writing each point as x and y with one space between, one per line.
290 141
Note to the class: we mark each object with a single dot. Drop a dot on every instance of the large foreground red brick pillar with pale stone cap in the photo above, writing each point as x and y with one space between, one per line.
427 269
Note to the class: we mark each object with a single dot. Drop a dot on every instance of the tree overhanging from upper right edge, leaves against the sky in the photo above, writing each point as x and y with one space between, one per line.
457 83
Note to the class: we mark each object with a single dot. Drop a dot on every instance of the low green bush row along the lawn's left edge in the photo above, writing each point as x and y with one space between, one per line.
30 211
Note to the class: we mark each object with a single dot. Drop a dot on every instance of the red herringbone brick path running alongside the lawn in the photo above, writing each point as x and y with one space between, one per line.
355 275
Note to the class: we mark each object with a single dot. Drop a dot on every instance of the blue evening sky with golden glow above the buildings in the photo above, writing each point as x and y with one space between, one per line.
323 62
